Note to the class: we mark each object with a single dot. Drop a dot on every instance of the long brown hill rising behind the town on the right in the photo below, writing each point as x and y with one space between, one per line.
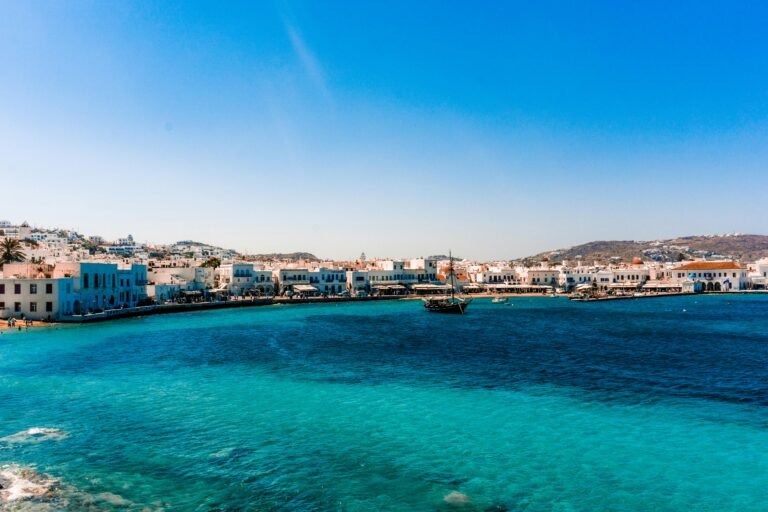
736 246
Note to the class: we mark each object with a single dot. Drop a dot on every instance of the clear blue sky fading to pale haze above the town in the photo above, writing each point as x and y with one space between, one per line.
398 129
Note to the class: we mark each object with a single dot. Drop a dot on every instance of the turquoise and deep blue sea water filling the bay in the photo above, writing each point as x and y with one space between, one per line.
544 405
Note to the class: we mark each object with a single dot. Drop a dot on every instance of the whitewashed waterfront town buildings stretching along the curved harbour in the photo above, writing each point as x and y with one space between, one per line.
63 274
